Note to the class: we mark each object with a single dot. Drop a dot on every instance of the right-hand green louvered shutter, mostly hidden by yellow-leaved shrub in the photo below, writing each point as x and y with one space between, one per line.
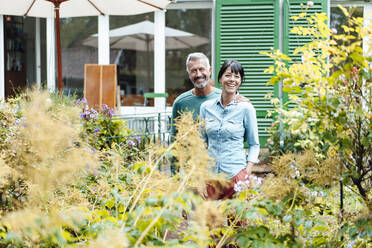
292 41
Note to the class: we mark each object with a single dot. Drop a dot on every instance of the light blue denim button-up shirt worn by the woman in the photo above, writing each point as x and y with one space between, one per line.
225 131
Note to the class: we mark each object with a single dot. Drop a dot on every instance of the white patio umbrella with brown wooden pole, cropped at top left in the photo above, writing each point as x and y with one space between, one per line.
74 8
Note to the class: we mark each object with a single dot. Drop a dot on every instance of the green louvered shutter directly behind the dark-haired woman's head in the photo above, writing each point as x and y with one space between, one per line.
243 29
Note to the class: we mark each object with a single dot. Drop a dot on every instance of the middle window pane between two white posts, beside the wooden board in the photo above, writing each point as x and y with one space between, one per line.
132 50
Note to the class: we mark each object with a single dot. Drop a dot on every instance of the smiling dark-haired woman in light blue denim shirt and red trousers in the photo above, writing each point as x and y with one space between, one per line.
227 125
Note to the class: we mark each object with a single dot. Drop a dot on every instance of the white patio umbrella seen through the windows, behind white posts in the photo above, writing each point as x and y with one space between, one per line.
140 37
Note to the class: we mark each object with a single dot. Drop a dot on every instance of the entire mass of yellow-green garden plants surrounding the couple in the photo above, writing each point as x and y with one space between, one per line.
68 179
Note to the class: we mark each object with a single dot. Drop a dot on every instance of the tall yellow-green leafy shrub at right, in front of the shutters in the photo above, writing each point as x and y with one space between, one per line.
332 93
